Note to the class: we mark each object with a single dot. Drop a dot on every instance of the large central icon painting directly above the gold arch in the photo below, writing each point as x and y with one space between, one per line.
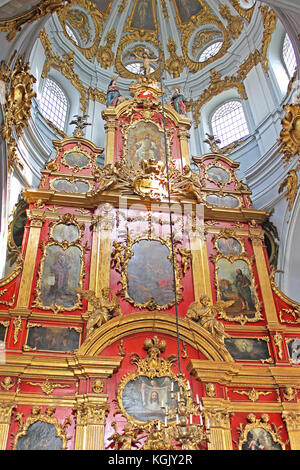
148 278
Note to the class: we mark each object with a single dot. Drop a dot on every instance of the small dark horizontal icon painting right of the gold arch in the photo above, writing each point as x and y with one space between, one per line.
248 349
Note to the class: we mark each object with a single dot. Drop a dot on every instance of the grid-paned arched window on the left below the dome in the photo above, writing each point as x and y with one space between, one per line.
53 104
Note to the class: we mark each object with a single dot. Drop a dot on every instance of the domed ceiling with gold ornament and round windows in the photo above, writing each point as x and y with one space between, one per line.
190 37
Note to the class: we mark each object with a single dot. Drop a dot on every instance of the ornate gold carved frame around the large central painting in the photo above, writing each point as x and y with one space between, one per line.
121 256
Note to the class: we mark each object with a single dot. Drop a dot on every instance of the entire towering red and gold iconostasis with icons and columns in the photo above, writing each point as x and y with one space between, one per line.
140 310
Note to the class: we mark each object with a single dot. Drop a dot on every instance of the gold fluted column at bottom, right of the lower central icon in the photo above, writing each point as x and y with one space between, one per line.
219 424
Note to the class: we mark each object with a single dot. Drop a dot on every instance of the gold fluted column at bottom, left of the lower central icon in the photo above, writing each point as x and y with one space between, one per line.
90 426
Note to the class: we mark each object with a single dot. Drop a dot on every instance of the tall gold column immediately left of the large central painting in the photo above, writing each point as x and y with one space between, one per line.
106 221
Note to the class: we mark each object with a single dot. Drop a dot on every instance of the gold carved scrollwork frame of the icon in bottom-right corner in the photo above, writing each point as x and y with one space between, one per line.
259 429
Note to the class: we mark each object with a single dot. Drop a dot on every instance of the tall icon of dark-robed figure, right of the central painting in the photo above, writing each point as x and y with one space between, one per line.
235 282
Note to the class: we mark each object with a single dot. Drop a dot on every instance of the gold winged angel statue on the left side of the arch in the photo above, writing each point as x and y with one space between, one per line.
104 307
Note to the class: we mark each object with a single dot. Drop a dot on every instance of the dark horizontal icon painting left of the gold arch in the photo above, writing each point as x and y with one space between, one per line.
46 338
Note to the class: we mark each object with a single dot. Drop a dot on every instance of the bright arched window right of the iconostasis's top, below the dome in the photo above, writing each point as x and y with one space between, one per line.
229 123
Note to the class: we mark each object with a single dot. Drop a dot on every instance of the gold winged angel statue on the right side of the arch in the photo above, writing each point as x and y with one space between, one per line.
203 312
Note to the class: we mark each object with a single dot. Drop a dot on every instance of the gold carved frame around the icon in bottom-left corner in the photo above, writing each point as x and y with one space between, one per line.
46 417
